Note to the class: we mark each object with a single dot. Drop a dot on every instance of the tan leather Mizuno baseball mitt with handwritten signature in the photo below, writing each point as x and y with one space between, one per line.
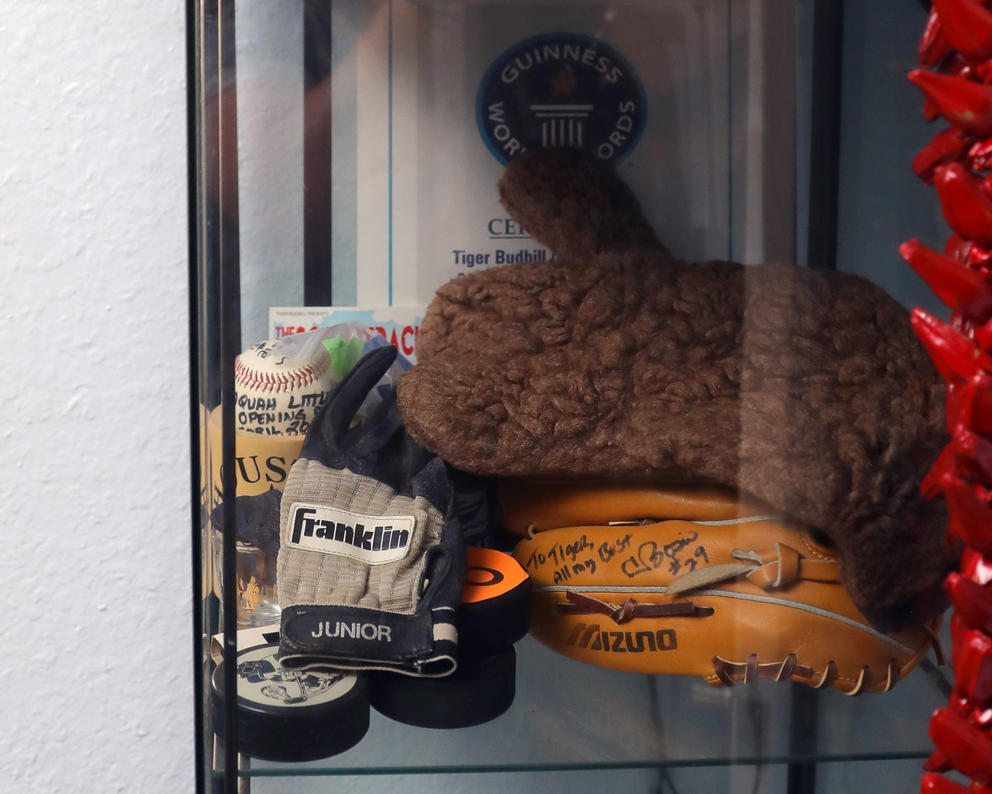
693 582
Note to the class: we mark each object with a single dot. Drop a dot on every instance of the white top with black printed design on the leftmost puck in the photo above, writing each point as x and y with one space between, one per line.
261 679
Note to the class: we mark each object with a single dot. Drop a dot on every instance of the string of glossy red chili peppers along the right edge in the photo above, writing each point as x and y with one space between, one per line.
957 46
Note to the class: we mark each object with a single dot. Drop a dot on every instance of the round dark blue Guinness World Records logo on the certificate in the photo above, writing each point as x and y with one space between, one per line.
561 90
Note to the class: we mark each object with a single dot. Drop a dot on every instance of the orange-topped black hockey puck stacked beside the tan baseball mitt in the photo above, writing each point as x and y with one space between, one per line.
495 607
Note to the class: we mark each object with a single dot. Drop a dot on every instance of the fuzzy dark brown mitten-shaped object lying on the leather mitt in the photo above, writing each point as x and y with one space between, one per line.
805 389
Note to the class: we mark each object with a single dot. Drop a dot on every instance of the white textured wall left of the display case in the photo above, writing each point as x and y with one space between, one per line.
94 572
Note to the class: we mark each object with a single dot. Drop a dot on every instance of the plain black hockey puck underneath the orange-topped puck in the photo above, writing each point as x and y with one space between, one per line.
480 690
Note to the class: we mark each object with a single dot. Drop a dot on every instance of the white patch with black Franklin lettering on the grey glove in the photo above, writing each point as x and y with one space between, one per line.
371 539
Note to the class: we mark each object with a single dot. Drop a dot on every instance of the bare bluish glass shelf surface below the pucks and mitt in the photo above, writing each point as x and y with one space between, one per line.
569 715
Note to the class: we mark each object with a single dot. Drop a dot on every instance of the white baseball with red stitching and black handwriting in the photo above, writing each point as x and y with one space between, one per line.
279 385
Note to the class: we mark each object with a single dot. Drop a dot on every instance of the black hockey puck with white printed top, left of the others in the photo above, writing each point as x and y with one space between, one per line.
285 715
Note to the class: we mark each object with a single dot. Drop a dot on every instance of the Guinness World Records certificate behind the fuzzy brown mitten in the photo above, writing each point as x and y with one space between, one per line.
448 91
